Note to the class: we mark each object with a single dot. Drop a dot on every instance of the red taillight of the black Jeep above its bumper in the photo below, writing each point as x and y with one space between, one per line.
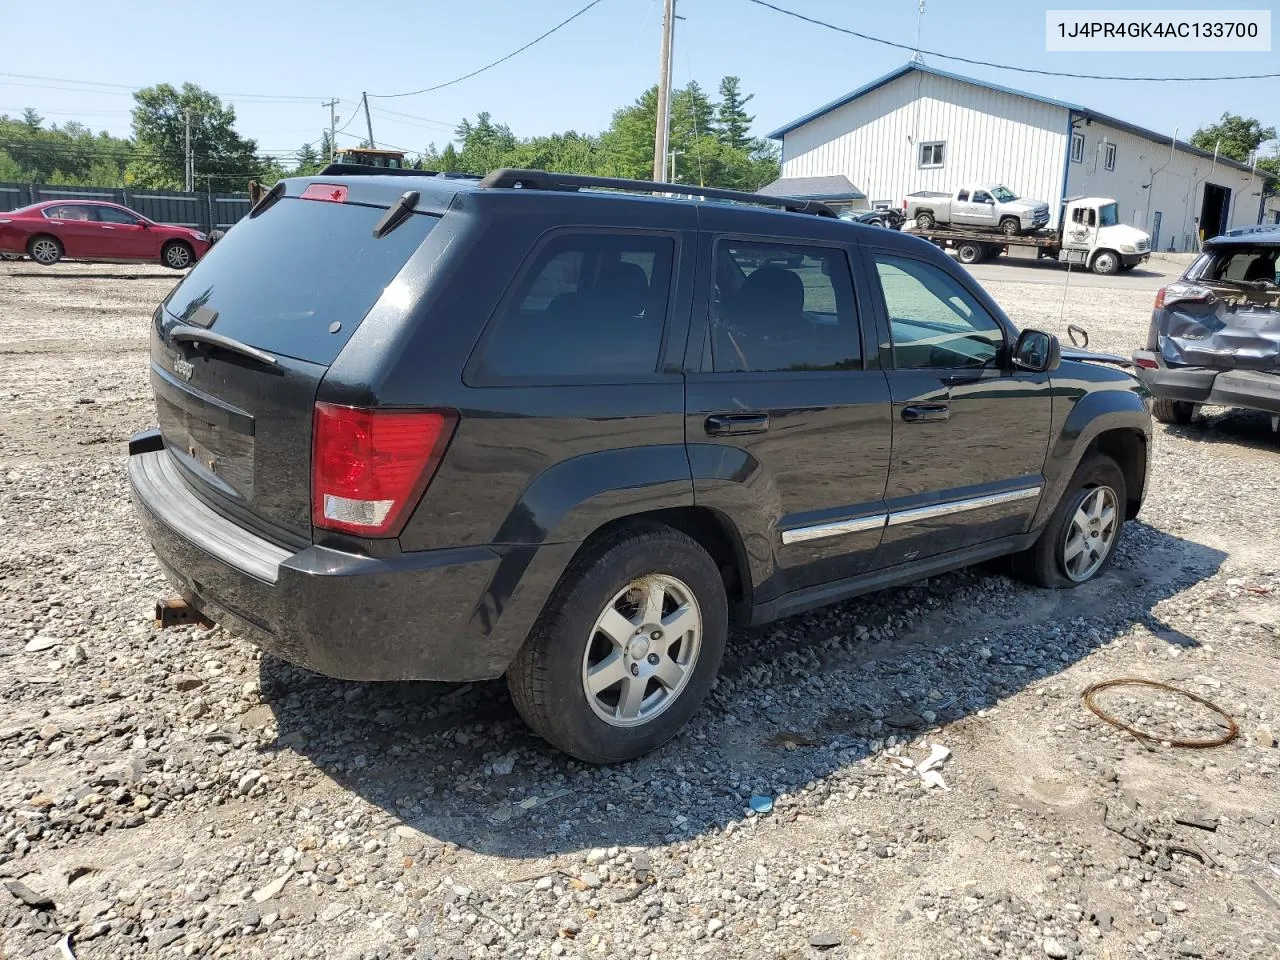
369 468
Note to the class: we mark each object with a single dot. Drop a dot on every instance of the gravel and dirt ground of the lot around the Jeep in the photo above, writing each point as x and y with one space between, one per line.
177 794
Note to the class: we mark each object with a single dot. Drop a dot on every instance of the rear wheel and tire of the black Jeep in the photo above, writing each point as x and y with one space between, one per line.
627 648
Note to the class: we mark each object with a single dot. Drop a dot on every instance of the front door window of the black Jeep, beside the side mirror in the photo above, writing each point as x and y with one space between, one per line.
934 321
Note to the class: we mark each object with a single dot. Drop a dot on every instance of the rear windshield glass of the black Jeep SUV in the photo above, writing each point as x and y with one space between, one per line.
281 281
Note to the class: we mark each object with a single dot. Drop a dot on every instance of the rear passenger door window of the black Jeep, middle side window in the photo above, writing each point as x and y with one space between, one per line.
783 308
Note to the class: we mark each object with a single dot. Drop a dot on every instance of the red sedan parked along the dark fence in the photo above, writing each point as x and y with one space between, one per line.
88 230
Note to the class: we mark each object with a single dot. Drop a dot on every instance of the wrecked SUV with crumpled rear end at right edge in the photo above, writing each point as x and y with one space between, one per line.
1215 333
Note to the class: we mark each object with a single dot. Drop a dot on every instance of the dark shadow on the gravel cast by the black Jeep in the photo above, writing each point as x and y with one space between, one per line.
798 702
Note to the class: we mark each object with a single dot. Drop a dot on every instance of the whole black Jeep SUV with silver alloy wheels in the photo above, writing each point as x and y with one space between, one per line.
568 431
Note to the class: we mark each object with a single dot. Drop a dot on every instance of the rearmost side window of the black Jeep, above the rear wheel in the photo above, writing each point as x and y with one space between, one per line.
589 304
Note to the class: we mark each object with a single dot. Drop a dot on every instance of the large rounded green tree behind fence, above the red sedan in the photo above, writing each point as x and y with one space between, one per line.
225 161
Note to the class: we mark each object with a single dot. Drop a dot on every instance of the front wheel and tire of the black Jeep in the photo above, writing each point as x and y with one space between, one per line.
1081 540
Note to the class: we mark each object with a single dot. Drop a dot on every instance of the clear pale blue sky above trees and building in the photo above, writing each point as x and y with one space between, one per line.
578 77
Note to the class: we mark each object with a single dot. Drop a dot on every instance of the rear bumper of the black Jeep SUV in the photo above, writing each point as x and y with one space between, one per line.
339 614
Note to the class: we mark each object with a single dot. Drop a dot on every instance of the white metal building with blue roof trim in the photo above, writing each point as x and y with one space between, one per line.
924 129
